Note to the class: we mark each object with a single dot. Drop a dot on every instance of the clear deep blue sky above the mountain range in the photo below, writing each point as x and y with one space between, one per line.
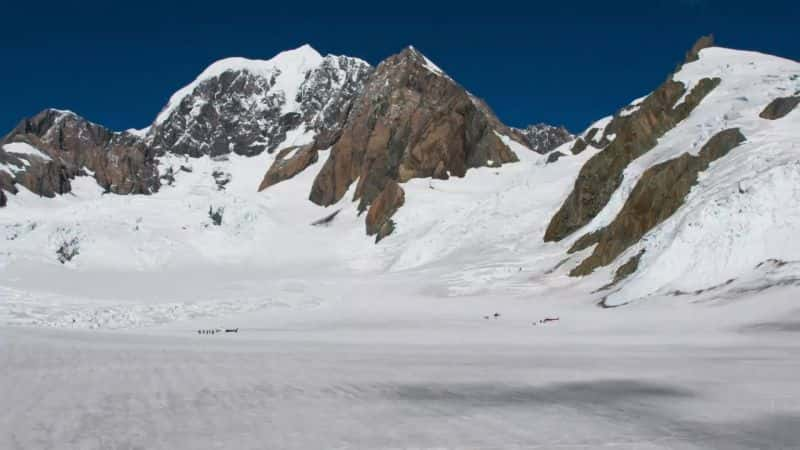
566 62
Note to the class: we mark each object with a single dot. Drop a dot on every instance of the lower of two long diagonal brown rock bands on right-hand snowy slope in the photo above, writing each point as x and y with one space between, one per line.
658 194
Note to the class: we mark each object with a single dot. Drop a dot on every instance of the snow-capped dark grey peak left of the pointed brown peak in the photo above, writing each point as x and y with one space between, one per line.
246 106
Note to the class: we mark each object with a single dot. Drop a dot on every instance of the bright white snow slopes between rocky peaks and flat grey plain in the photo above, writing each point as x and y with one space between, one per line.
145 260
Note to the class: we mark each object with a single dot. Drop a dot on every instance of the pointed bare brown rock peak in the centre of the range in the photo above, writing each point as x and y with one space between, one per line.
410 121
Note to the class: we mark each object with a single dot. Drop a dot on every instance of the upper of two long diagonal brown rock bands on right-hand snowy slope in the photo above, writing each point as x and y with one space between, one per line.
636 134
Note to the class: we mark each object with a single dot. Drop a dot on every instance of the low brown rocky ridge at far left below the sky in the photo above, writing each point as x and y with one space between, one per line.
62 145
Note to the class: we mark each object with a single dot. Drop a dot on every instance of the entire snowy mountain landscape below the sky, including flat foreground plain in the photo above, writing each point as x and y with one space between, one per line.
241 303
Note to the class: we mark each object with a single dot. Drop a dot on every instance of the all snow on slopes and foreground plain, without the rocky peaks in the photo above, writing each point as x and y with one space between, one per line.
343 343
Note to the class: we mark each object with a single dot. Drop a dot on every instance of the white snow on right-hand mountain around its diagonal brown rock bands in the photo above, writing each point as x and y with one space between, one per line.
746 207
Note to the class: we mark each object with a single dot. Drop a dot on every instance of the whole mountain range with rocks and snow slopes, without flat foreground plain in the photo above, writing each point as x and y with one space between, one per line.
690 191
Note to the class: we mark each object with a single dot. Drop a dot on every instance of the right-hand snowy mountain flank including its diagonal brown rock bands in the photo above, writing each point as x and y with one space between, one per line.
684 190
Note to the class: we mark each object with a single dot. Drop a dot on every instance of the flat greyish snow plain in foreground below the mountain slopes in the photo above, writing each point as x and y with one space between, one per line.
380 368
